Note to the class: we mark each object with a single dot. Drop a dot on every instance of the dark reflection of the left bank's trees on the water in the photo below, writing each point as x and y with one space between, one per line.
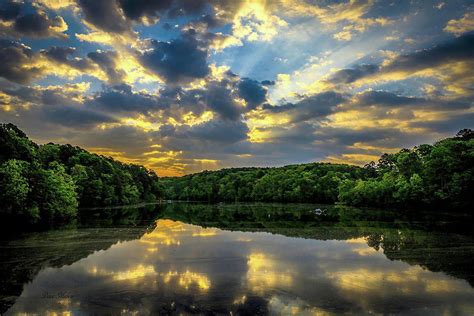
22 258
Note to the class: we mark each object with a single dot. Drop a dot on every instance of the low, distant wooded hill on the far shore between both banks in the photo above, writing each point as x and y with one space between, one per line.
297 183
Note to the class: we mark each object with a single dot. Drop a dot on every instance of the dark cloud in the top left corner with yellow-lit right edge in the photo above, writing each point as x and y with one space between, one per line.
35 24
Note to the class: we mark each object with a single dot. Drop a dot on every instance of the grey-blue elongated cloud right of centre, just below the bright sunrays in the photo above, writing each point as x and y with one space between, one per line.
316 106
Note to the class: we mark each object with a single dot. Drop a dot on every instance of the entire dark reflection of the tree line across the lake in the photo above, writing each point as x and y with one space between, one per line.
430 240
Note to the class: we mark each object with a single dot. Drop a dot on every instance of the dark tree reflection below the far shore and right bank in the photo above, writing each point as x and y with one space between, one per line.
438 242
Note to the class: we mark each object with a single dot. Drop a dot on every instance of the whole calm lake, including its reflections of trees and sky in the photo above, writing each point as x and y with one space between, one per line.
243 259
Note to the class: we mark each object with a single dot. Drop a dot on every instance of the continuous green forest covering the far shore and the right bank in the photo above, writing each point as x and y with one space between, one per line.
440 175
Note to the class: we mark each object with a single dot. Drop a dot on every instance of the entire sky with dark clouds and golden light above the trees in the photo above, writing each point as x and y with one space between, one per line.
182 86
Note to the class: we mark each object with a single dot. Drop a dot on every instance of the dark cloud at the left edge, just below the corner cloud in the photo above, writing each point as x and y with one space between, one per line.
14 57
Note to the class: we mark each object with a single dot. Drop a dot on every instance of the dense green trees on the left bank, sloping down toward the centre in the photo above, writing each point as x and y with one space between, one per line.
50 183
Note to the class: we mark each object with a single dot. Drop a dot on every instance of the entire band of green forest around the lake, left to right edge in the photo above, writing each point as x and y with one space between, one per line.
50 183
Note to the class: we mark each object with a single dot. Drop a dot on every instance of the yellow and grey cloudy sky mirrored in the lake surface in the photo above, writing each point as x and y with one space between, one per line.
191 269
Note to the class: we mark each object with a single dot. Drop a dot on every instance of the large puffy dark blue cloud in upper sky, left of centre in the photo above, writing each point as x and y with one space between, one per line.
180 60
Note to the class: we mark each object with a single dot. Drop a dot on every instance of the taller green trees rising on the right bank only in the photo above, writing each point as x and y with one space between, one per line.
440 175
